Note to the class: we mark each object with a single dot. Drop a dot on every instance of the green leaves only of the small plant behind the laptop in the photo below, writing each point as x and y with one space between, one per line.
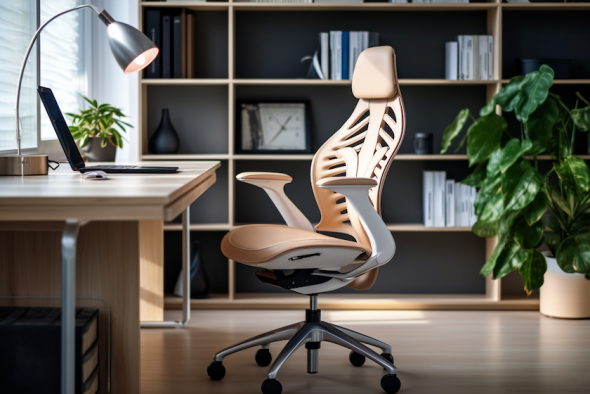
98 121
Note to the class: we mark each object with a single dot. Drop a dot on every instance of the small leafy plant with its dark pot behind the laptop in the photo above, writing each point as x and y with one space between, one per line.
95 130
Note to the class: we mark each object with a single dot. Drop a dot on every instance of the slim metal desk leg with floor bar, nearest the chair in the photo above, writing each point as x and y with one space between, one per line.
186 280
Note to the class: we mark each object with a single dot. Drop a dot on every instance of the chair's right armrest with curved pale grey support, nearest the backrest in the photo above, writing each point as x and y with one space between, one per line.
356 191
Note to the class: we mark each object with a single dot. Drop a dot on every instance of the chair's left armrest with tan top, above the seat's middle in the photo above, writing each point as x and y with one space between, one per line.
273 184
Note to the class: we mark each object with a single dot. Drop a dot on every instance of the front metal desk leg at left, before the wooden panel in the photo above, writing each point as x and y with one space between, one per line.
68 305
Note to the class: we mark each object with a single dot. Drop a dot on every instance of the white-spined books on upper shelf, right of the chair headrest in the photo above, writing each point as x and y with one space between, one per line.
470 58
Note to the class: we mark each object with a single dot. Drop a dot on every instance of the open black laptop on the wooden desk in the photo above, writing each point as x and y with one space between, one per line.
71 149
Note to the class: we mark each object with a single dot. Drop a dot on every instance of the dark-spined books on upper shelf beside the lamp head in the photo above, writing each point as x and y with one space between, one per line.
174 33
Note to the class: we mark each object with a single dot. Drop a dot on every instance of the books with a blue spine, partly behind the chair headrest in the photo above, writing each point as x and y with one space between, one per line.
339 51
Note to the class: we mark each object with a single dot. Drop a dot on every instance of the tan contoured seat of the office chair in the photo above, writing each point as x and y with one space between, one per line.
283 247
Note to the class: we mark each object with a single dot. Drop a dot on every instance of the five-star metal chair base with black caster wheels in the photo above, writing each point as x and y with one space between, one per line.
311 333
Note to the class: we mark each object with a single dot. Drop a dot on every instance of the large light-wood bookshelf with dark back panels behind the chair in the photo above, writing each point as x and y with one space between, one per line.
239 63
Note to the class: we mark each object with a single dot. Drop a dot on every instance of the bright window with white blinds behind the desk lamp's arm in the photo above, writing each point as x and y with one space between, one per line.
61 67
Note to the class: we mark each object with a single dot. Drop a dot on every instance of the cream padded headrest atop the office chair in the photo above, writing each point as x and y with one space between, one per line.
374 74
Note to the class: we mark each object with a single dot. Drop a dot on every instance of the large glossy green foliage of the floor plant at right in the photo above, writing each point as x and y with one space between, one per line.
515 201
